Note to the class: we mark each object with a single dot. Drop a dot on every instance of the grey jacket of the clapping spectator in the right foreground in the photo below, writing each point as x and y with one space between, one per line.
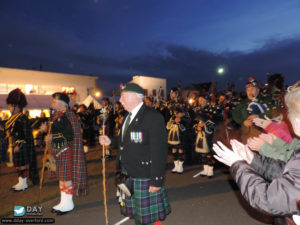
270 185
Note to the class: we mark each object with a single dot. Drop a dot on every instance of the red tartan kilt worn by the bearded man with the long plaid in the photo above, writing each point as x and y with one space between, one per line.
64 165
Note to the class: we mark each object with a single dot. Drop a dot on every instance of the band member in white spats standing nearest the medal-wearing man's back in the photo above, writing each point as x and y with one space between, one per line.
177 127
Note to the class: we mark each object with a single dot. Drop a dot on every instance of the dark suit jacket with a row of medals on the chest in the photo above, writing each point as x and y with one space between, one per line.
142 151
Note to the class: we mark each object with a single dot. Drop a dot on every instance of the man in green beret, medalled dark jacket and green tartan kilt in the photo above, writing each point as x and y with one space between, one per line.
142 157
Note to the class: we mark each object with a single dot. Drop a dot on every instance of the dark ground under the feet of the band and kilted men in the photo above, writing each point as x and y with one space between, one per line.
194 201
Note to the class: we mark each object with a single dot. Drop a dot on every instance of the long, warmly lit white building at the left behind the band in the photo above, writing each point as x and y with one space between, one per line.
39 85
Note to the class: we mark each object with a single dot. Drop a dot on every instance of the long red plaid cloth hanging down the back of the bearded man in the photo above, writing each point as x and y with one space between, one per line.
79 171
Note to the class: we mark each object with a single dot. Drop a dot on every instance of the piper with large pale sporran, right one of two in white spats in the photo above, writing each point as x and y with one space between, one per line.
204 129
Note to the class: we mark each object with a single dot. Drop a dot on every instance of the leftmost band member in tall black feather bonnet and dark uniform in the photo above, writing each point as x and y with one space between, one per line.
21 146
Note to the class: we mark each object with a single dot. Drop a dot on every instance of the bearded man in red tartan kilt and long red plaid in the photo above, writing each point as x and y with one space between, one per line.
67 148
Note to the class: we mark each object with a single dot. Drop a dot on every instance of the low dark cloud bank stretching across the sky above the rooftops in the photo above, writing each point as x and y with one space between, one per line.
174 62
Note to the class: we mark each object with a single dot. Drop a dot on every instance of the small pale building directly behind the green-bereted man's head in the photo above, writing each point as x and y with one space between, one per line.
153 85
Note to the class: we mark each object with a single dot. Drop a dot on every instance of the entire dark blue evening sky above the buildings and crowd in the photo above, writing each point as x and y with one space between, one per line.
177 40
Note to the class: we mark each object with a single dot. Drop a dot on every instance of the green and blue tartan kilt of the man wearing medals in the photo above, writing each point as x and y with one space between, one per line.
144 206
